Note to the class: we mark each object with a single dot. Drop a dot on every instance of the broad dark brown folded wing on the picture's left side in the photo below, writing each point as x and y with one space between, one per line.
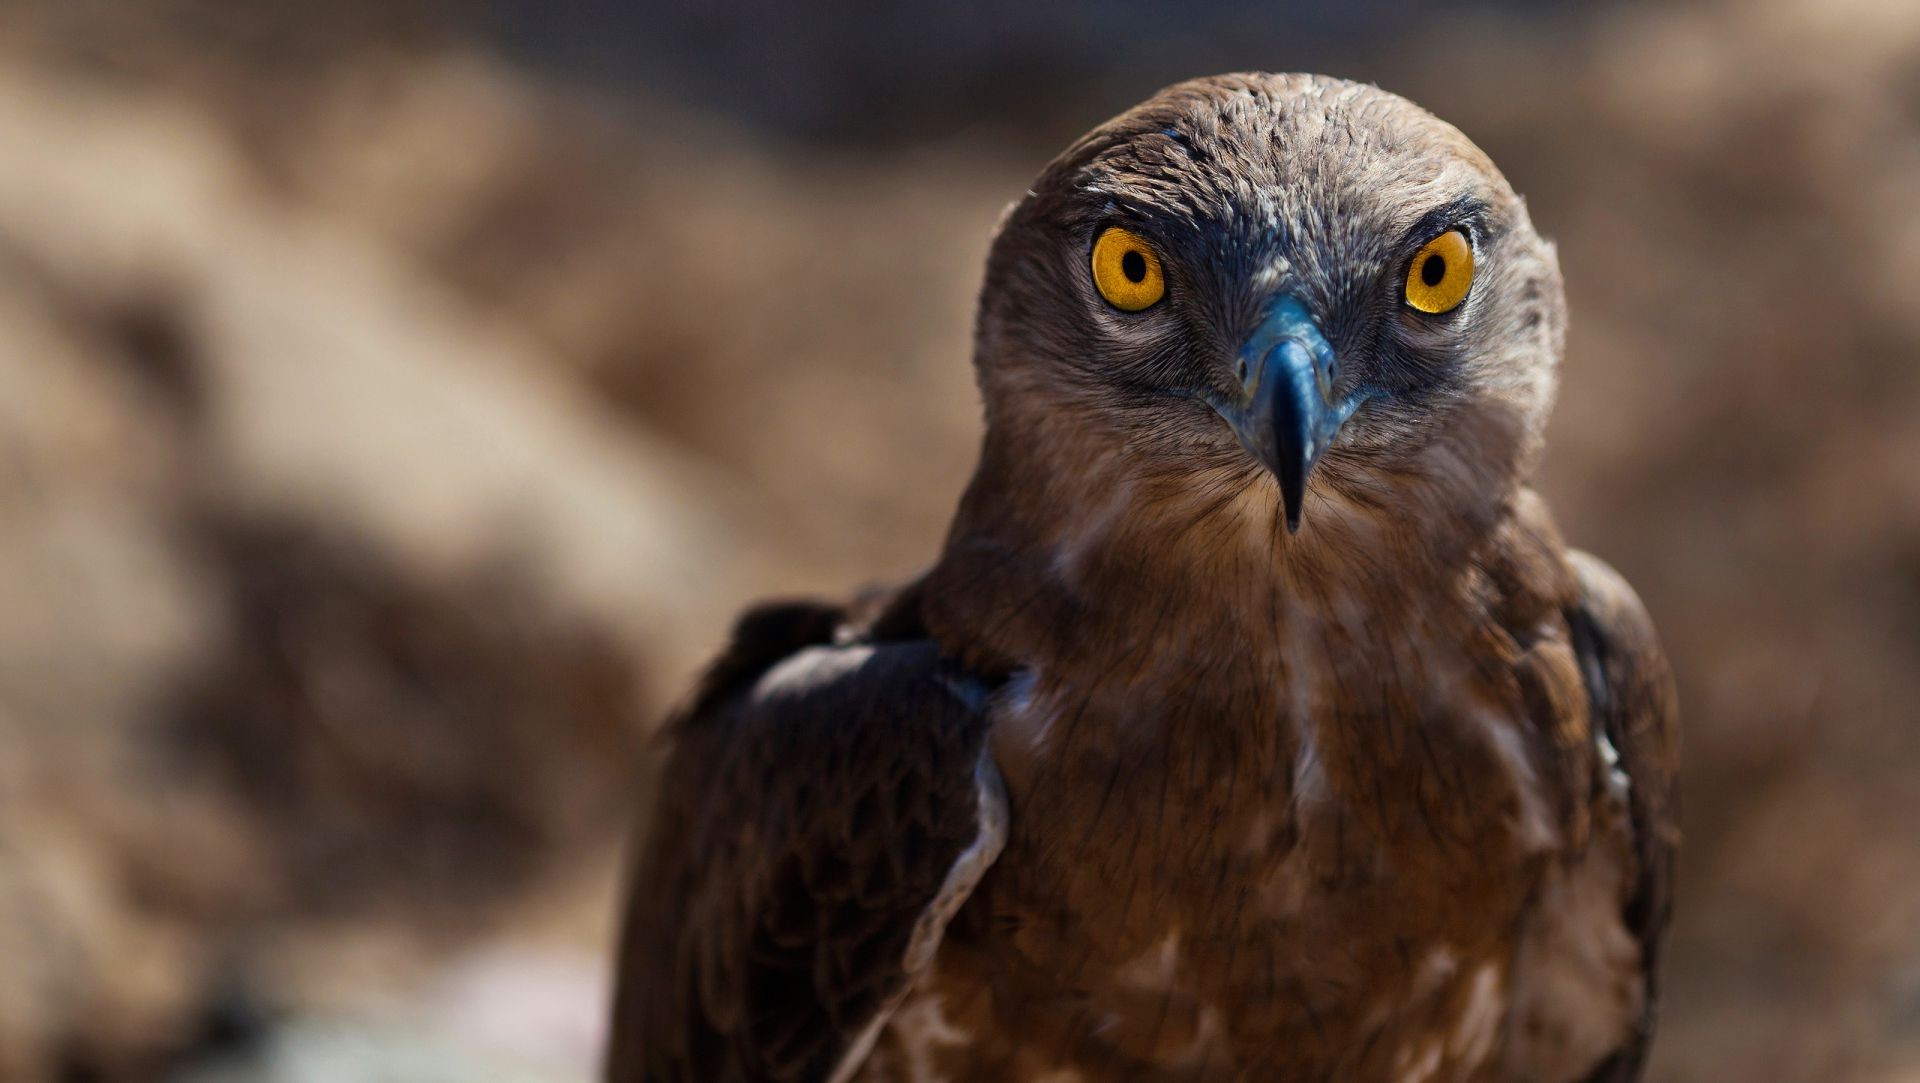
825 811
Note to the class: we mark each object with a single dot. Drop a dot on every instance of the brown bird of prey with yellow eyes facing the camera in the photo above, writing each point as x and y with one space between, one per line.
1255 721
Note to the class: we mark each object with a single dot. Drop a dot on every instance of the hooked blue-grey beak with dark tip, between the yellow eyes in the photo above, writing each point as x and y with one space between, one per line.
1285 414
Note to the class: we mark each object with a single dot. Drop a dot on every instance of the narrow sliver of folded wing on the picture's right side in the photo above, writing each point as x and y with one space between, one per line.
1635 706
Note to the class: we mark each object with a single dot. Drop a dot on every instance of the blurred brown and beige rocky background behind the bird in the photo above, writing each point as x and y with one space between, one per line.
398 398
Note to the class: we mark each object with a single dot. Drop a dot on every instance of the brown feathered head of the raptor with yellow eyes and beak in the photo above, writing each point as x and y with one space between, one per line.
1280 285
